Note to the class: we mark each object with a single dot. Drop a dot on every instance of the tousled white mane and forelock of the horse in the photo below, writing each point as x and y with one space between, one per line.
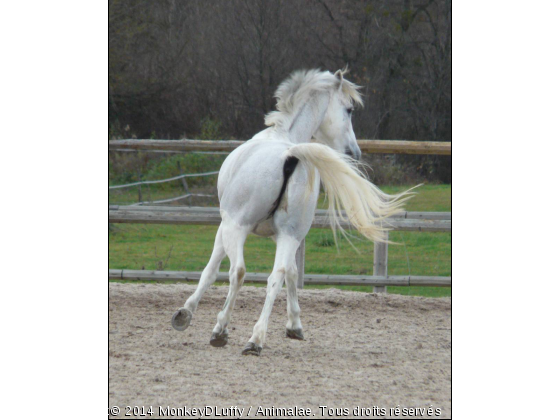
296 90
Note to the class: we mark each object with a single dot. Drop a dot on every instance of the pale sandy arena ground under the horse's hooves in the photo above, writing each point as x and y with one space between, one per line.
360 350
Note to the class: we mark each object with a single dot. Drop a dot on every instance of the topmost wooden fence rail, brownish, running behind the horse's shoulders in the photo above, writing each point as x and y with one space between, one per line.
367 146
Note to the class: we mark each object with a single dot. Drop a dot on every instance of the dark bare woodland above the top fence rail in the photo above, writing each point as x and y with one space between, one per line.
174 64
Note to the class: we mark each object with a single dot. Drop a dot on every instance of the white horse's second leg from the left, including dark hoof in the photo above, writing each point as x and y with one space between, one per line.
234 237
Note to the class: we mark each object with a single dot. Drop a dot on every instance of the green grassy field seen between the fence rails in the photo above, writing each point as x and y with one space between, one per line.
187 248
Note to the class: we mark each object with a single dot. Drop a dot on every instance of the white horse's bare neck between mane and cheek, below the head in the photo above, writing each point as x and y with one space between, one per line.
309 118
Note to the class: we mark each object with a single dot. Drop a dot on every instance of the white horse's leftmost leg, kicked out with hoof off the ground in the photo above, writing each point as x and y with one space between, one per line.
182 318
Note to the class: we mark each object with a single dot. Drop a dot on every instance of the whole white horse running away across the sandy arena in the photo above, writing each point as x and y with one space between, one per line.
269 186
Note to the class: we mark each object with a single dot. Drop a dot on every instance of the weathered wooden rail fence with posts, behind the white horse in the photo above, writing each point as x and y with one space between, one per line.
406 221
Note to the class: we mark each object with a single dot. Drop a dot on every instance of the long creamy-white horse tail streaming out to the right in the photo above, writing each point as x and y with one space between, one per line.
347 189
